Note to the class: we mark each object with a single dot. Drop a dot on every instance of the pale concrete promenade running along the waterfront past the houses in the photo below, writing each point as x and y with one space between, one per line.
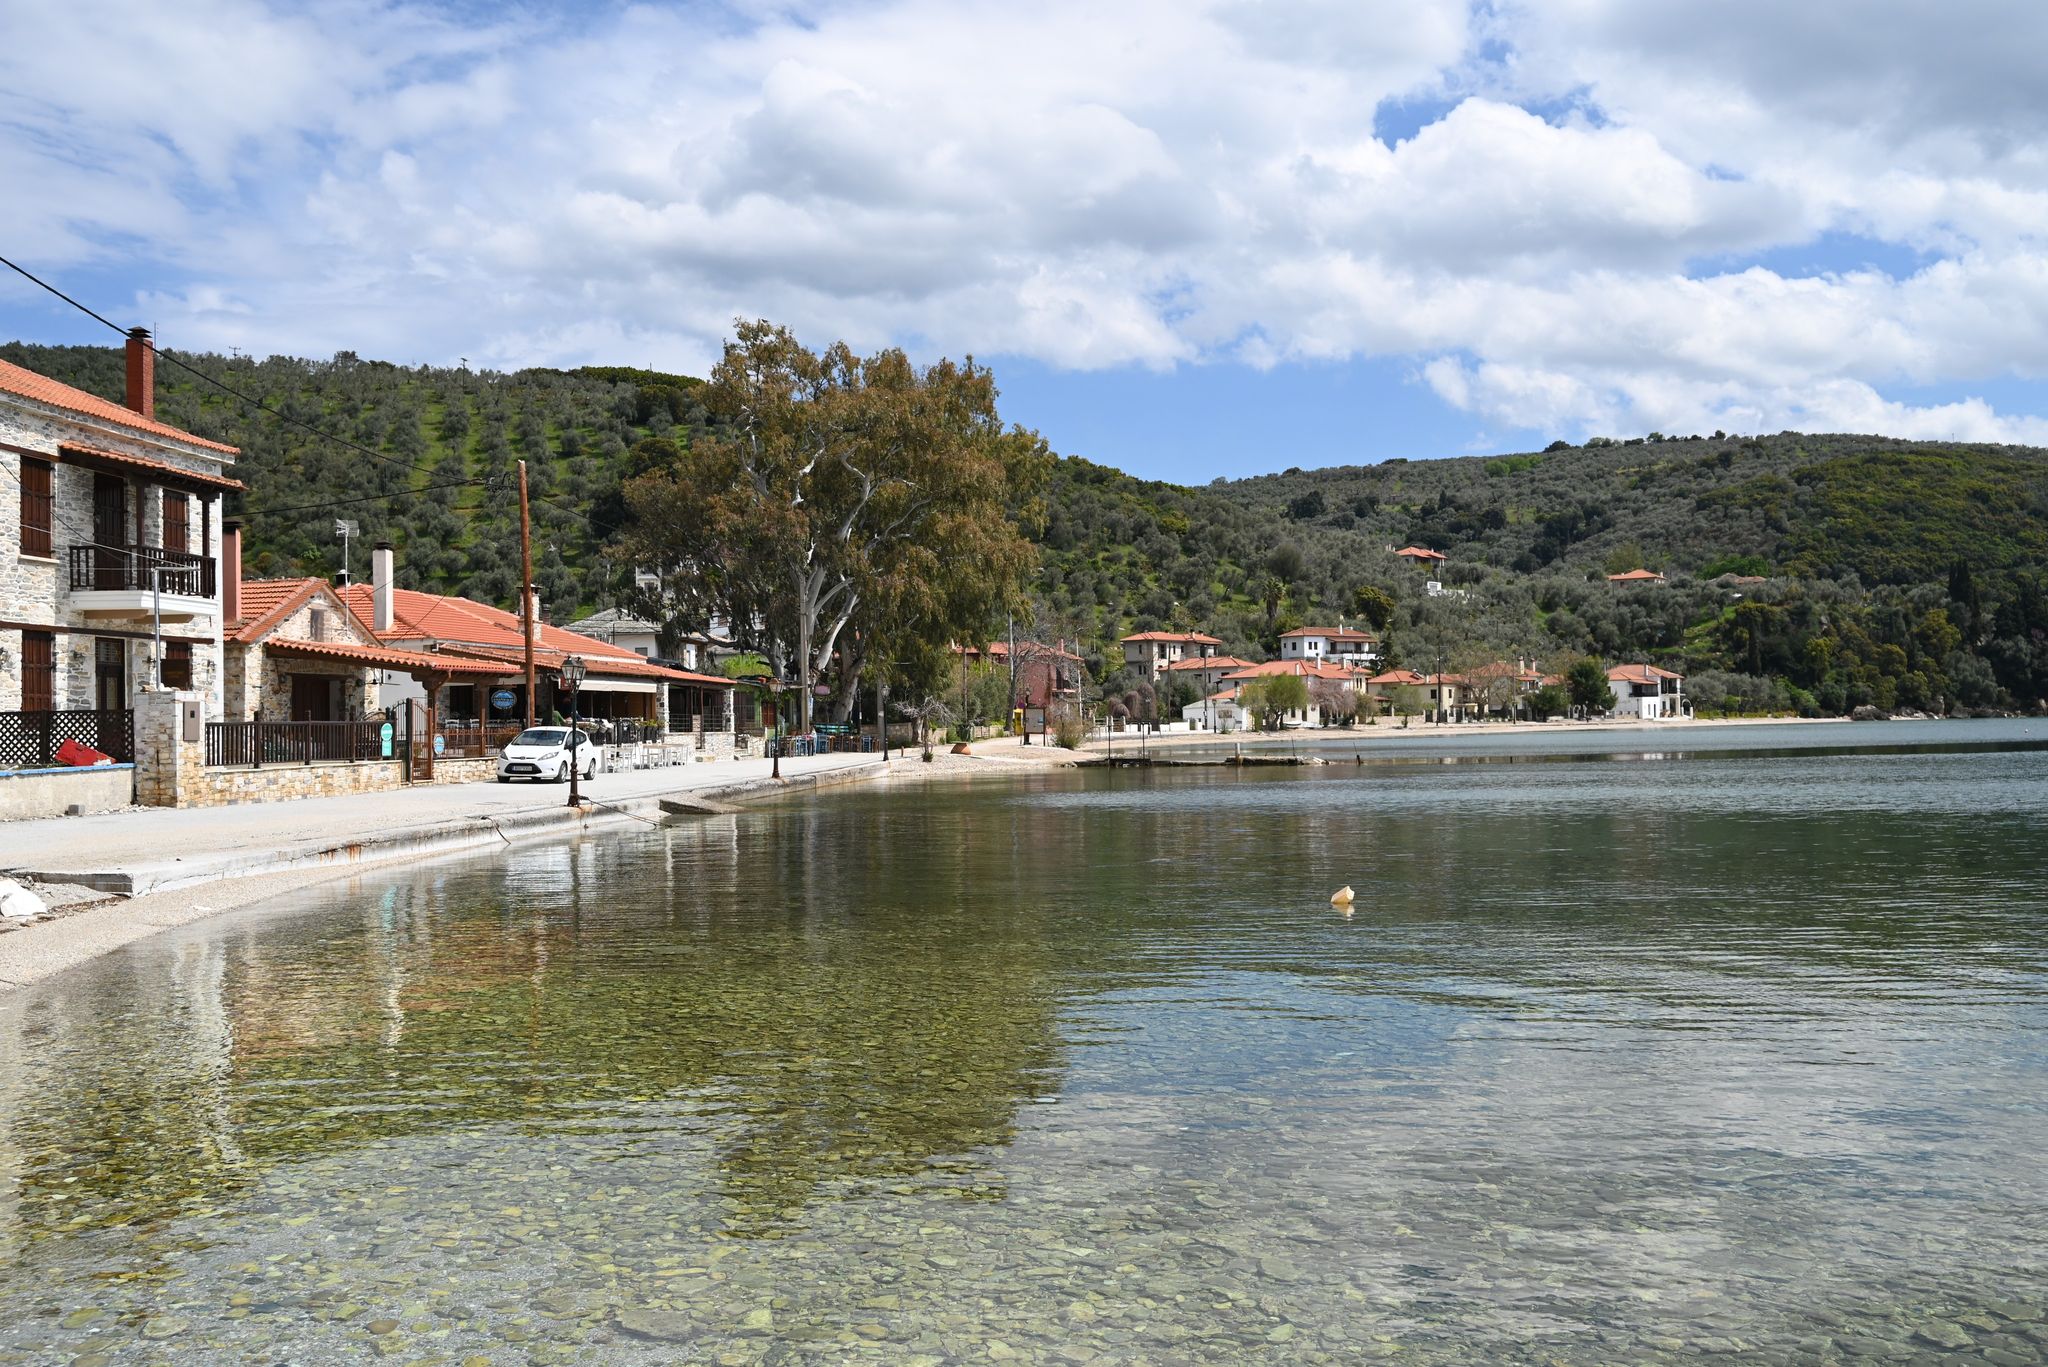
153 850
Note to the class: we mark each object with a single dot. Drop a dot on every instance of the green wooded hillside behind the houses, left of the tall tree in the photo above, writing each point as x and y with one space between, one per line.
437 470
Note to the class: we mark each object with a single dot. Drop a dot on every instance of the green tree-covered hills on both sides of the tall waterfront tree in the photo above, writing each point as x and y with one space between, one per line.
1875 573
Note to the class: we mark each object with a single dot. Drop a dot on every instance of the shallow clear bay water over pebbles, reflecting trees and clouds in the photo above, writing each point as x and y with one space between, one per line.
1617 1061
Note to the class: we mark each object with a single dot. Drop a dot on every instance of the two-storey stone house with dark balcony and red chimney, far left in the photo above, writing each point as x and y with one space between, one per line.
110 571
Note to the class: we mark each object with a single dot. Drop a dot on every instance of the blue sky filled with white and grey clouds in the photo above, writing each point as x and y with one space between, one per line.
1195 239
